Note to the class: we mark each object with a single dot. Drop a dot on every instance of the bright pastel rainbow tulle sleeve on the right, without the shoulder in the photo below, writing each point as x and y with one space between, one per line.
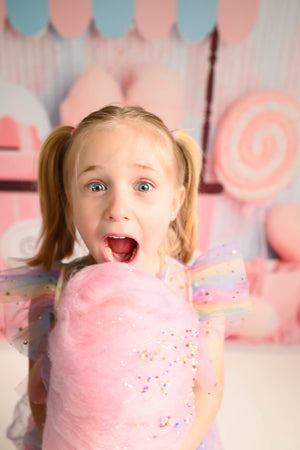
219 287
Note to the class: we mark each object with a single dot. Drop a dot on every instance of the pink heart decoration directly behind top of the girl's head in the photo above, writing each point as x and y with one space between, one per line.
155 87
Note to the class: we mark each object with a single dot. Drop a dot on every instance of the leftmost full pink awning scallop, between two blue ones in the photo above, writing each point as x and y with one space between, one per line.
70 18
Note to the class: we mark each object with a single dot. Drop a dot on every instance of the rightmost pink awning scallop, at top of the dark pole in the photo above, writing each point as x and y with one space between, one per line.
236 19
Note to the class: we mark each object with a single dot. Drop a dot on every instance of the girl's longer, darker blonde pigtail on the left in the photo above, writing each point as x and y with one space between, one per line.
57 235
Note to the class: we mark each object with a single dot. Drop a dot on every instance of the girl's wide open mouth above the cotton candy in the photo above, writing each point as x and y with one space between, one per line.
119 248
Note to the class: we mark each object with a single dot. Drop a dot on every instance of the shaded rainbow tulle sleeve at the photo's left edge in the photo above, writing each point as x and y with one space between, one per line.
27 294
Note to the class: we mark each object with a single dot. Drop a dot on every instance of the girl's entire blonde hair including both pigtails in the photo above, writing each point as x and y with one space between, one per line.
58 158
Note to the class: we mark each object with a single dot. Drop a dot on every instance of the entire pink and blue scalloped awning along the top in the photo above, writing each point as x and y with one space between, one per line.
153 19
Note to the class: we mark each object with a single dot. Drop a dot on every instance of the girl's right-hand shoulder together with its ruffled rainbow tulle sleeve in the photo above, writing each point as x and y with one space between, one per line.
215 284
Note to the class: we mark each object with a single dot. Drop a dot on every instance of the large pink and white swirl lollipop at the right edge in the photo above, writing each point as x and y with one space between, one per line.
257 151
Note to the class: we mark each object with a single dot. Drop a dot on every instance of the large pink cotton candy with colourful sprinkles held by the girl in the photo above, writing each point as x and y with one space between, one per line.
124 356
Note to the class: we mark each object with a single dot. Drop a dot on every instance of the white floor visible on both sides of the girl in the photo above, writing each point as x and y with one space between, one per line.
261 407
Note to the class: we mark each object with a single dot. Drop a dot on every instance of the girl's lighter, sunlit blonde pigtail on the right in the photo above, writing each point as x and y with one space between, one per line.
184 227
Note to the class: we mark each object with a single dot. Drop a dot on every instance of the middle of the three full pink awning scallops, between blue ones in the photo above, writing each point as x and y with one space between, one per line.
155 19
